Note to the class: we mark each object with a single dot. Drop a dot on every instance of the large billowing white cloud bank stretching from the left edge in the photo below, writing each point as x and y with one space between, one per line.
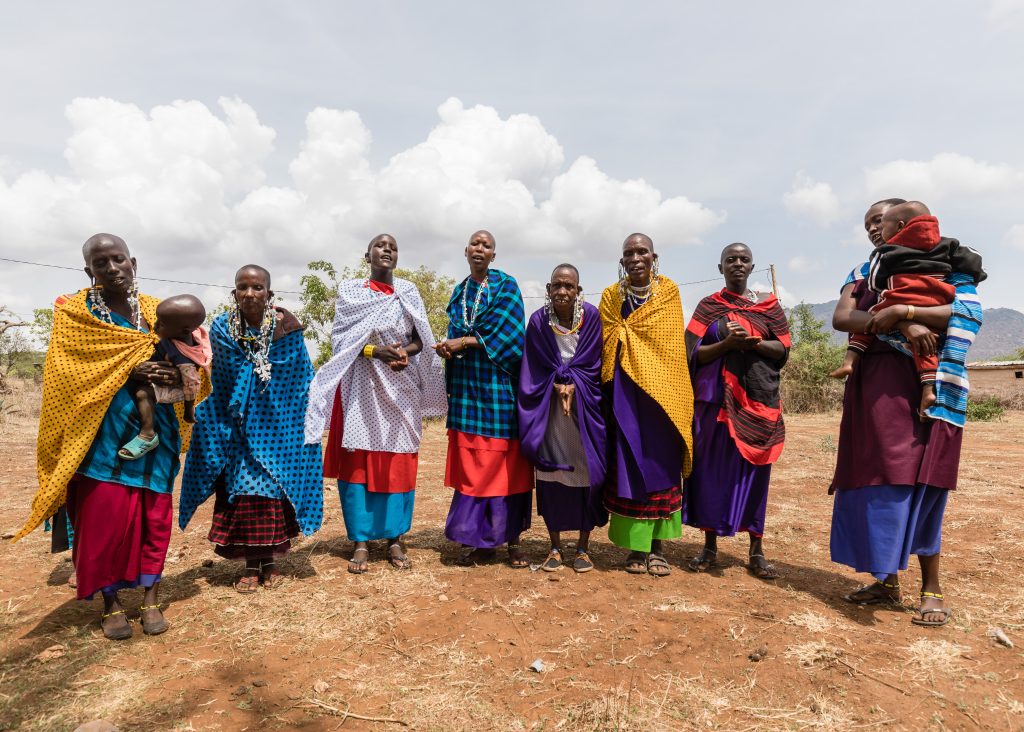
187 187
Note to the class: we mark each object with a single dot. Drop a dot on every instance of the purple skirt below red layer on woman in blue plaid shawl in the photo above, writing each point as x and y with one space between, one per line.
489 523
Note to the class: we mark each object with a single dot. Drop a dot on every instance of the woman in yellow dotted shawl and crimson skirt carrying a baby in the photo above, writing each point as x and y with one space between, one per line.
120 511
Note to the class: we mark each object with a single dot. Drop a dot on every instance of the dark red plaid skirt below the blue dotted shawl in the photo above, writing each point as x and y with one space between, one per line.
252 527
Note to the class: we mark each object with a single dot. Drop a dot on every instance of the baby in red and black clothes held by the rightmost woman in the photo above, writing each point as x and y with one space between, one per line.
910 269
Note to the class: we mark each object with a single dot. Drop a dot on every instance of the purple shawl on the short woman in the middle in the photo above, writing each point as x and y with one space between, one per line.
542 367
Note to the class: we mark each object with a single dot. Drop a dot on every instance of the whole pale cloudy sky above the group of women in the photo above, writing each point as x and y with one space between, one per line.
210 136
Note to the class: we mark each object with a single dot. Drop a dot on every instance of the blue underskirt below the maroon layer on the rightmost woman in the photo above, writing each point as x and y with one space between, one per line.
877 529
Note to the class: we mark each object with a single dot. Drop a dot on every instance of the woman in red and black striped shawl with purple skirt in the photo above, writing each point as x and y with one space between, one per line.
738 340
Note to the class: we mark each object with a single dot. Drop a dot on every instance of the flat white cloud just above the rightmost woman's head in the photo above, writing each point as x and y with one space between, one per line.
944 178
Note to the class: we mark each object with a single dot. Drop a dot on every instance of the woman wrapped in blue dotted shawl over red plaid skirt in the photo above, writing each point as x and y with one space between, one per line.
248 449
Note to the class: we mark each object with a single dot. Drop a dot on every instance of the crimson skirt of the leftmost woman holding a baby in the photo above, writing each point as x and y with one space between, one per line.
121 535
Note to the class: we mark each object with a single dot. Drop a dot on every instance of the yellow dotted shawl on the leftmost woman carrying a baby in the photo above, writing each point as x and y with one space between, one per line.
88 363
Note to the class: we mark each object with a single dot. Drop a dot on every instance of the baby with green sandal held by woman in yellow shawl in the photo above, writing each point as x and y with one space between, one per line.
186 345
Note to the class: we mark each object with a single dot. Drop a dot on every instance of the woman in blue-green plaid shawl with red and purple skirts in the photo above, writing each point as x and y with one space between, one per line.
493 482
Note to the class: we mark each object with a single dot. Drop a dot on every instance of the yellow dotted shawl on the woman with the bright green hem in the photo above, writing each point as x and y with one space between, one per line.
651 351
